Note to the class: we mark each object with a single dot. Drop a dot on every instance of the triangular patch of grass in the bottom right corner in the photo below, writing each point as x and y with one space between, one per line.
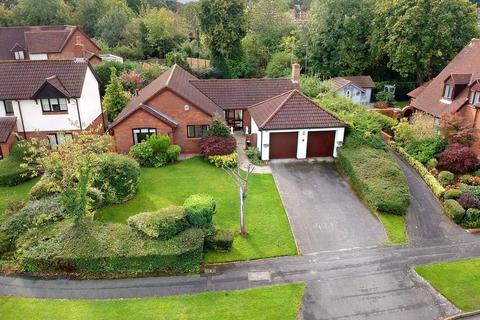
458 281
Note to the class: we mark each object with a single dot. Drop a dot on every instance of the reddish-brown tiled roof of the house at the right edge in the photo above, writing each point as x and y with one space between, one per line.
466 62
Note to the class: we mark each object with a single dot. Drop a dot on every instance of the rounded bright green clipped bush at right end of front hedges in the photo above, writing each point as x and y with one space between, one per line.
199 209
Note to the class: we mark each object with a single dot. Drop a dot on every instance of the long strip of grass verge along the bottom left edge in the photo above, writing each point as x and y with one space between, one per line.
274 302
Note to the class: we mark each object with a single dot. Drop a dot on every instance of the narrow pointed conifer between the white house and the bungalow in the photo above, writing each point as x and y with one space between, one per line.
115 97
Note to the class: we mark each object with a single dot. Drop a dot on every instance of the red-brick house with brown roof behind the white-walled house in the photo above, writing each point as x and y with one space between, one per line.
47 43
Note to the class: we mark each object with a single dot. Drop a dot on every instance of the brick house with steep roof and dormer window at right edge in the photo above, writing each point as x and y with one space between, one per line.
456 89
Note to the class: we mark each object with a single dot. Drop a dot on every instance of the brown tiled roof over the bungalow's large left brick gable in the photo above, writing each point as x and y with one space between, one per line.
175 79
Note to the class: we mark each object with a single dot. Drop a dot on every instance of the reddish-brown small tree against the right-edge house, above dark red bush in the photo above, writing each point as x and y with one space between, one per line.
457 130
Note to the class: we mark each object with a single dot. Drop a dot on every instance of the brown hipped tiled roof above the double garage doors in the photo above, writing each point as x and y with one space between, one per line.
292 110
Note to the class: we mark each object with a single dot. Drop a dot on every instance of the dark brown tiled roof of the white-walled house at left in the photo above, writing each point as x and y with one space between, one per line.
19 80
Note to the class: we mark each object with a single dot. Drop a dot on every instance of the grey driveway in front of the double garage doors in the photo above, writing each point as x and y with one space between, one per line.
325 214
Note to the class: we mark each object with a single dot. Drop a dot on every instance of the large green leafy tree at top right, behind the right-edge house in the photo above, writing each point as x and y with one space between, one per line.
419 37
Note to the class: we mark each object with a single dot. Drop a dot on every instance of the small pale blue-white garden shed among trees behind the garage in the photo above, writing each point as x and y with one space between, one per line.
359 89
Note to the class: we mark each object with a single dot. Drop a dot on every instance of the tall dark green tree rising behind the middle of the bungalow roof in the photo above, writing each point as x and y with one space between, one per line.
223 23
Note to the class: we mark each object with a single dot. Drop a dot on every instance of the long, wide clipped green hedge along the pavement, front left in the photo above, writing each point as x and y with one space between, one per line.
101 248
